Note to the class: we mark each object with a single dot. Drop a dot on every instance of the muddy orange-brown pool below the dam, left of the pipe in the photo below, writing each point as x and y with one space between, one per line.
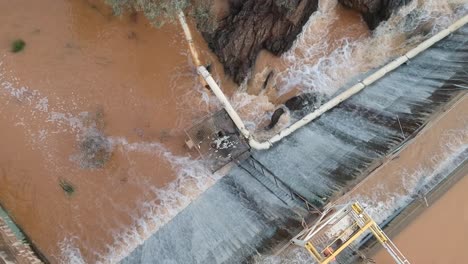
92 114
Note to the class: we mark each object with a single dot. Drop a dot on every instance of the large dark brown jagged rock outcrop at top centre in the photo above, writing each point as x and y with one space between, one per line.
252 25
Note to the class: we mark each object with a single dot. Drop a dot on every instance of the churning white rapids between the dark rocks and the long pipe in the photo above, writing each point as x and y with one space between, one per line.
311 69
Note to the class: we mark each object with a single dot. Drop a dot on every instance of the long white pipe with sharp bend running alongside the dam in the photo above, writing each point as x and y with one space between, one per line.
333 102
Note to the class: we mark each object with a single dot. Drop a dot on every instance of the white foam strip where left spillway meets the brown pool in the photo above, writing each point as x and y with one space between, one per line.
192 179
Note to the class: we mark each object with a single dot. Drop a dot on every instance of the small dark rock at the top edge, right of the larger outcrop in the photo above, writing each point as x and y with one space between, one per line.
374 11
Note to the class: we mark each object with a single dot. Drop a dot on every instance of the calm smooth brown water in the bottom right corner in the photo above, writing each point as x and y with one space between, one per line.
440 234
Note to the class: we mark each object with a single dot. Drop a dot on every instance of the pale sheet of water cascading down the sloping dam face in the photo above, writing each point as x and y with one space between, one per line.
239 216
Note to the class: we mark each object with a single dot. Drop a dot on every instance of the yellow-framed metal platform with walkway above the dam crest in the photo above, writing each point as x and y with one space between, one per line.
338 228
